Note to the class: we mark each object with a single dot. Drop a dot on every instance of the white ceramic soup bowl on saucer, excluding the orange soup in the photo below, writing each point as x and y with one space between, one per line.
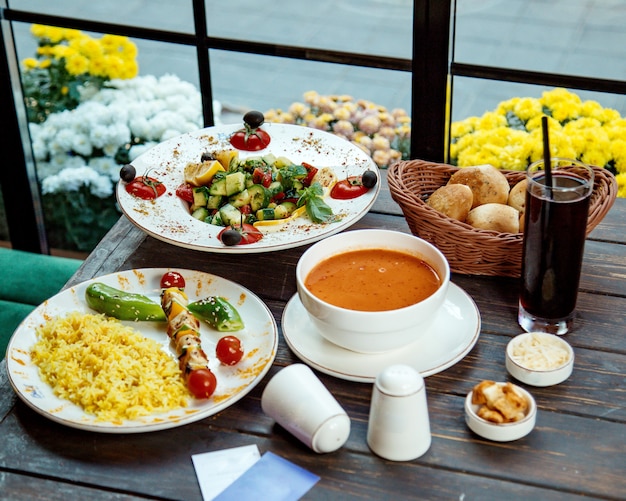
372 331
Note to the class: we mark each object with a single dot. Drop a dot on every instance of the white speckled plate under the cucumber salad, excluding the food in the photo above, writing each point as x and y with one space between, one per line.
168 217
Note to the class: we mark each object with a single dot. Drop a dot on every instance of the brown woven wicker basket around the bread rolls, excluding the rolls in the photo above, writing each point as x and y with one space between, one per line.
469 250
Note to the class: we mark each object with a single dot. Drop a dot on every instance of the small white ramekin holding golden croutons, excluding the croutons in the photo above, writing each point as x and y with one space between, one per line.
505 432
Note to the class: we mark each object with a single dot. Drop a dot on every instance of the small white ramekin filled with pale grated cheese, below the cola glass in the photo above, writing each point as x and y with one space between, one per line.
539 359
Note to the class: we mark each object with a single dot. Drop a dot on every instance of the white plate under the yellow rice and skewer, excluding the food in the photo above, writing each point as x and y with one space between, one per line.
259 338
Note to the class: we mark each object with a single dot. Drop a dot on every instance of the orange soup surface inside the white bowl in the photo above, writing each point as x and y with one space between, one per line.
372 280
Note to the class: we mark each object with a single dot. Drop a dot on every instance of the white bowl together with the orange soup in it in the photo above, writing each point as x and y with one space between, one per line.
372 291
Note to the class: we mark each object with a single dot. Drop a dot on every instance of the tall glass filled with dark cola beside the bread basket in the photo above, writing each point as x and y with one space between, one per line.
555 225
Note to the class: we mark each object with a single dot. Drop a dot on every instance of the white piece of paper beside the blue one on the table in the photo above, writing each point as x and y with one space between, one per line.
217 470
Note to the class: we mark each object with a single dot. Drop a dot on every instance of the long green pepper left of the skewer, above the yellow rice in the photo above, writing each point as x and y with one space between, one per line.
122 305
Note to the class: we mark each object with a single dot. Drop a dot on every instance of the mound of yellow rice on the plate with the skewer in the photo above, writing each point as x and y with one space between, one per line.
107 368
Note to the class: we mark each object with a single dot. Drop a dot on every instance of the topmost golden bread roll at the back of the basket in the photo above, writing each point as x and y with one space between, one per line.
487 183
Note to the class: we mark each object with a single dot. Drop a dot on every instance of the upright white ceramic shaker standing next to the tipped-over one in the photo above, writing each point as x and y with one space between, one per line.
399 428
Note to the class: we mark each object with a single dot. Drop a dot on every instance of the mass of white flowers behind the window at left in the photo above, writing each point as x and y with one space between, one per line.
78 147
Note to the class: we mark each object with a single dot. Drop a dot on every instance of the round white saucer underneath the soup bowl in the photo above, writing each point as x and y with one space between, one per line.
452 335
